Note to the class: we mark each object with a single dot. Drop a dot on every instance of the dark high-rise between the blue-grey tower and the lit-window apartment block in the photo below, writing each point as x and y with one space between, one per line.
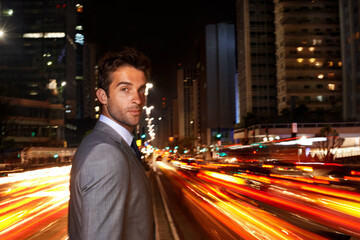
256 62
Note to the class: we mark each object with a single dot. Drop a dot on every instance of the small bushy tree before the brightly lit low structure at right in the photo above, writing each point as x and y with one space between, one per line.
328 148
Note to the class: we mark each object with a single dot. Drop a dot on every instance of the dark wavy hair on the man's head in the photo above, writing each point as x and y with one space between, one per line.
111 61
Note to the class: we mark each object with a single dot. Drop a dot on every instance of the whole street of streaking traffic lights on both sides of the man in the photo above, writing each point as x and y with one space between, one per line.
191 204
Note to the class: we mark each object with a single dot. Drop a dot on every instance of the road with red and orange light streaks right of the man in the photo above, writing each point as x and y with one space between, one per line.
211 205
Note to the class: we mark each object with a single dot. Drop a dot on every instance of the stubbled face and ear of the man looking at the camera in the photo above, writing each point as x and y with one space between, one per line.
126 97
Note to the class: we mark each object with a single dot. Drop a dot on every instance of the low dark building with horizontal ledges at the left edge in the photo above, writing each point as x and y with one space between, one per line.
33 123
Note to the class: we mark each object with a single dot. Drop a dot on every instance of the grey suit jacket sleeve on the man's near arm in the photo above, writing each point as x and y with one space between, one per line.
104 186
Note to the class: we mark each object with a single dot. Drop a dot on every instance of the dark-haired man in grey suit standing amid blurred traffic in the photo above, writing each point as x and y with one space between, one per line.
110 196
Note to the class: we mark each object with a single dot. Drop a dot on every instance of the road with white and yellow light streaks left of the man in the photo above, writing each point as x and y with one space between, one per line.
33 204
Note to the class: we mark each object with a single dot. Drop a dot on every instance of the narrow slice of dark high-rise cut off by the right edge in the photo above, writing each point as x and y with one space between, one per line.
350 38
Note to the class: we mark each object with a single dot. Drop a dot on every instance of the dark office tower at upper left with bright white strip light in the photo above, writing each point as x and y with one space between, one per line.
38 50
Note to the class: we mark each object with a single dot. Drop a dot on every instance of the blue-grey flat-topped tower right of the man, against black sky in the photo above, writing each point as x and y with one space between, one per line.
218 89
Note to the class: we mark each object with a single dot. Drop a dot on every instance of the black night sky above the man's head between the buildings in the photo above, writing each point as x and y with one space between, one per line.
163 30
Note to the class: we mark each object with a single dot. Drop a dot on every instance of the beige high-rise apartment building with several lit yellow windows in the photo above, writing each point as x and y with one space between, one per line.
308 52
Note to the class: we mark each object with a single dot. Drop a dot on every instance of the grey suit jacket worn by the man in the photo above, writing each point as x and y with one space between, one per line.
110 196
